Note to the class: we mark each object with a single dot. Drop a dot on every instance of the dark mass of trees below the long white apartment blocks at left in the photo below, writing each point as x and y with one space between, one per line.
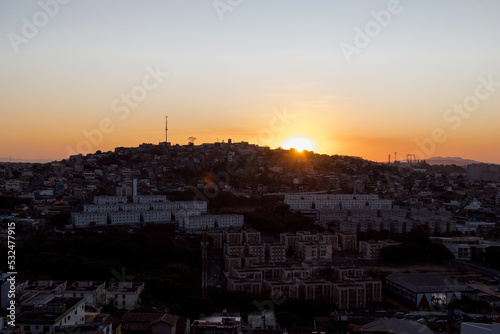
170 266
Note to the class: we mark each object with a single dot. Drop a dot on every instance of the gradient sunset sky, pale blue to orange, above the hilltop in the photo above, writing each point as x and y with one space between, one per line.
361 78
